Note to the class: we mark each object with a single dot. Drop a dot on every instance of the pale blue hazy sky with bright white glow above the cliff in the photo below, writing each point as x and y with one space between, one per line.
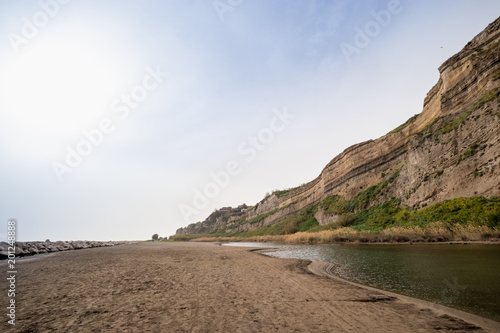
122 119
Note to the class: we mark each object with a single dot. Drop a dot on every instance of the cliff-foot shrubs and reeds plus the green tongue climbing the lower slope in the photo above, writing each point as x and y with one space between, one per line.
359 218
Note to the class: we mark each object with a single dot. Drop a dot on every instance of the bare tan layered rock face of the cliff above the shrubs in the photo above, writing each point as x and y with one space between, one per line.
451 149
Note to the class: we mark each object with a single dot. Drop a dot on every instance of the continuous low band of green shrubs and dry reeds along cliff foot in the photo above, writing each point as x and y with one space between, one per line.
465 219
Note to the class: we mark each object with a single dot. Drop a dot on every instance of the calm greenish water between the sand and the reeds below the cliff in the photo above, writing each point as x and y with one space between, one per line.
465 277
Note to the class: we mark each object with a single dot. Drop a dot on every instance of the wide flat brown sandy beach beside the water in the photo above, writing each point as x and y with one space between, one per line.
204 287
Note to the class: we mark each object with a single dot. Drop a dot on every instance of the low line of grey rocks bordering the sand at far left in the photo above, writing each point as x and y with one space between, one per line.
31 248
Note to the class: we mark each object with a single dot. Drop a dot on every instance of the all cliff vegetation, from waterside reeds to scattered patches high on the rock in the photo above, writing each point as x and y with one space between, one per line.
376 211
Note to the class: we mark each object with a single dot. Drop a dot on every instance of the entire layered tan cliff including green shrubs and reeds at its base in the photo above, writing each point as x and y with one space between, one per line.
434 177
